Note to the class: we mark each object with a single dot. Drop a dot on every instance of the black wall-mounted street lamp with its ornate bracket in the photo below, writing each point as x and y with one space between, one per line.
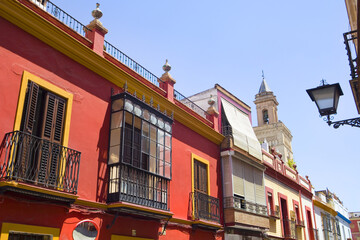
326 98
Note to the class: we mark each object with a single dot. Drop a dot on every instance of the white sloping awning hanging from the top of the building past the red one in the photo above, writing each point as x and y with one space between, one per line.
243 133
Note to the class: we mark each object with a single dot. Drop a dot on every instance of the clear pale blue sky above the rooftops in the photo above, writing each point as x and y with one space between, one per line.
296 43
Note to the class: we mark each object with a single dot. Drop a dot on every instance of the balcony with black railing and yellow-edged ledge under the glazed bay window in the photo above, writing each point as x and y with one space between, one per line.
138 192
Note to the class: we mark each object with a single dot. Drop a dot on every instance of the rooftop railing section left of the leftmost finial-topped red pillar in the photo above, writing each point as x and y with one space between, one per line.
65 18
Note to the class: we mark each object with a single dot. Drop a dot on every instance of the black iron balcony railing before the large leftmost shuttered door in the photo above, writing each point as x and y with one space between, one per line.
27 158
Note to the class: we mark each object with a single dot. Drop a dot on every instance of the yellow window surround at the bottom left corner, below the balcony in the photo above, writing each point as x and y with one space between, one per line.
8 227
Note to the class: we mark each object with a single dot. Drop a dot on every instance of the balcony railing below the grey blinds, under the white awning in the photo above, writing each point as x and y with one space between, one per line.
241 204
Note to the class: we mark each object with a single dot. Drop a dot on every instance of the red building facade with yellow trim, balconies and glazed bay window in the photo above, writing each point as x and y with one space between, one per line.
92 145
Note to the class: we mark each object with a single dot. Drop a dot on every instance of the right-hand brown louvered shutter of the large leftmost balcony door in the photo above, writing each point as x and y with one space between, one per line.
52 127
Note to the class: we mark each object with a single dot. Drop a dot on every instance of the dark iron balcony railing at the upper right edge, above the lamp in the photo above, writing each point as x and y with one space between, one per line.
350 39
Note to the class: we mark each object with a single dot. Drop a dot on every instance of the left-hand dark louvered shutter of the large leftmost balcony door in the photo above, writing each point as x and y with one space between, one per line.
29 113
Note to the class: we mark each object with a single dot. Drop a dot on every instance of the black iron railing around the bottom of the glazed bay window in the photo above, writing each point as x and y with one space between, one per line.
139 187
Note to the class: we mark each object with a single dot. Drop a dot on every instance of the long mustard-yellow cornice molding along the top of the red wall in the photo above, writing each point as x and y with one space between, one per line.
36 25
